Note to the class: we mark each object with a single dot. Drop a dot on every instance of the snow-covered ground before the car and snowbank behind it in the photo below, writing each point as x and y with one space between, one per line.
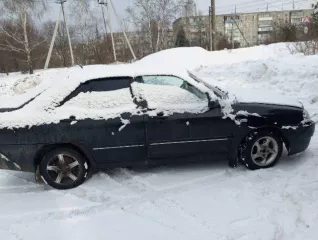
197 201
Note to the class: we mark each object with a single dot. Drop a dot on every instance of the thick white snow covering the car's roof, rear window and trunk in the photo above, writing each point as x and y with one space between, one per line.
56 84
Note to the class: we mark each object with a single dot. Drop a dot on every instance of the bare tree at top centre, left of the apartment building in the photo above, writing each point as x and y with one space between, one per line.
152 19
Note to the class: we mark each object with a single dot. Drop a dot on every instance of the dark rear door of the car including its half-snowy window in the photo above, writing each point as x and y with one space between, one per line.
102 117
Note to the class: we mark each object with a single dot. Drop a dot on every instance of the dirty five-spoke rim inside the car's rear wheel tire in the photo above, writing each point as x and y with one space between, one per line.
63 169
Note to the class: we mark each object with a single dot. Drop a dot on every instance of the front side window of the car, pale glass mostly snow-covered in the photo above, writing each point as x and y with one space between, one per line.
169 93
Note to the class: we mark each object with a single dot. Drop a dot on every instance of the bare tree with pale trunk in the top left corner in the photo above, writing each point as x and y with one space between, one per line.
16 26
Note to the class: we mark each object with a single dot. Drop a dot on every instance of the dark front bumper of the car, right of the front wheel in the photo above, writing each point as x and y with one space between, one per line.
299 139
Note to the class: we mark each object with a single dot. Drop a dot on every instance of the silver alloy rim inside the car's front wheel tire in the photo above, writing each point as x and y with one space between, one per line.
264 151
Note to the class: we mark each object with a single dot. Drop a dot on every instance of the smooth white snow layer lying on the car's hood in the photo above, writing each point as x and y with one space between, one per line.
245 95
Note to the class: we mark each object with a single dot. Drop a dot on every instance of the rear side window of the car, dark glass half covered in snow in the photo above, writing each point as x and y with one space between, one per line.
100 94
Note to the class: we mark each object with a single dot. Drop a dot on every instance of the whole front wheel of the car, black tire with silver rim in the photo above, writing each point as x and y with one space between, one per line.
261 149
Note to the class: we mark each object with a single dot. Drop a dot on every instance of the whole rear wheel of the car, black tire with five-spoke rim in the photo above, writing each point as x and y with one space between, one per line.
63 168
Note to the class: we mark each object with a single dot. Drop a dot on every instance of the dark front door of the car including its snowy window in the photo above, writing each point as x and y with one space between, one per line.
180 124
